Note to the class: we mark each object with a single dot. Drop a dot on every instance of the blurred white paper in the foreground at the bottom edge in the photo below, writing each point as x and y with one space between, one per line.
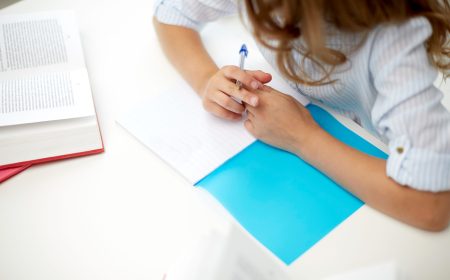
228 255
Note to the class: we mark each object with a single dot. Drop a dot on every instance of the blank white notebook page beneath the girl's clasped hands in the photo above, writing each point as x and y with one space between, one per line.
176 127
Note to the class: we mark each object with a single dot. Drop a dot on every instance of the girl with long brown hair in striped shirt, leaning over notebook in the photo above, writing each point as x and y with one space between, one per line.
373 61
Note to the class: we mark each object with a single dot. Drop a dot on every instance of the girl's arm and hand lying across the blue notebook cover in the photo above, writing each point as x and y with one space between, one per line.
361 174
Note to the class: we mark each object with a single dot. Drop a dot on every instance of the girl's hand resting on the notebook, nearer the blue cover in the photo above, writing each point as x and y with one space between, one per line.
280 120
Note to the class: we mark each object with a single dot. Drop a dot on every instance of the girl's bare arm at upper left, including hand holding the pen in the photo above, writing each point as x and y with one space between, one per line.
184 49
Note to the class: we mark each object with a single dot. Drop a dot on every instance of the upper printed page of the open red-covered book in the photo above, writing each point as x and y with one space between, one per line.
39 42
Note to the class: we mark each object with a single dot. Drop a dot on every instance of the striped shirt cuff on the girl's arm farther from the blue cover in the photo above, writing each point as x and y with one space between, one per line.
169 14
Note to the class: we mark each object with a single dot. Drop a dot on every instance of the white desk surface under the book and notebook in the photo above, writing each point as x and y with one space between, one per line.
125 214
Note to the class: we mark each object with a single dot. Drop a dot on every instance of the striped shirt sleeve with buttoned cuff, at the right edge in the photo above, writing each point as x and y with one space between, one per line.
408 111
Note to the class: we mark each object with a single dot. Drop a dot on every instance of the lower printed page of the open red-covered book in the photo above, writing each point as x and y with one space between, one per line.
49 96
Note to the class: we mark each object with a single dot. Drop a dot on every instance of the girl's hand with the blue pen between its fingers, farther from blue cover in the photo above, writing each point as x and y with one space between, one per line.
221 87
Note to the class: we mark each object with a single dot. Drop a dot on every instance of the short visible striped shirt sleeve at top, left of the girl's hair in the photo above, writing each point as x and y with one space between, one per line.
192 13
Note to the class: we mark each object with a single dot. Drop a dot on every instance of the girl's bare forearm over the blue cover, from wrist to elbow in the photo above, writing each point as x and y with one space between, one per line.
365 176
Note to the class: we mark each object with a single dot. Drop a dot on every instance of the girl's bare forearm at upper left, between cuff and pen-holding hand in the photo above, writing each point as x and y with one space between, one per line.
185 51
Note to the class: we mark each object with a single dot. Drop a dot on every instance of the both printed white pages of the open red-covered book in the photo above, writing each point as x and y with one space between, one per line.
42 71
